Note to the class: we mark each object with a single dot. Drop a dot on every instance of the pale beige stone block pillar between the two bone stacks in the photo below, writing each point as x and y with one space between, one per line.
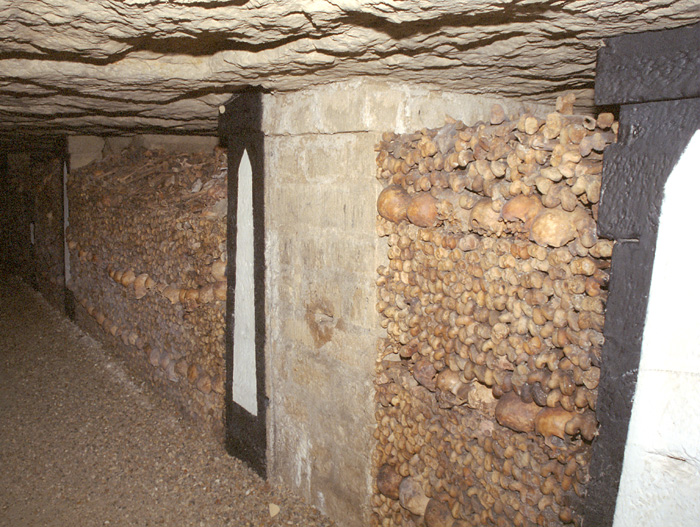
322 255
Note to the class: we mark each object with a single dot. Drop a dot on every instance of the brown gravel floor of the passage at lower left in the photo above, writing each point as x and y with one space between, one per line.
83 444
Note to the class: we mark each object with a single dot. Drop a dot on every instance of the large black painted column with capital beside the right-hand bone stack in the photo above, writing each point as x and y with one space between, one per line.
655 77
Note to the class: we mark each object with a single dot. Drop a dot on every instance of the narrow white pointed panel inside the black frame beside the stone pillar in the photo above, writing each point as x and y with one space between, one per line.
244 381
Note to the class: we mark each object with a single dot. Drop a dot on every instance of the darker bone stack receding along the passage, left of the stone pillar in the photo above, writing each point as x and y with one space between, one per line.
148 259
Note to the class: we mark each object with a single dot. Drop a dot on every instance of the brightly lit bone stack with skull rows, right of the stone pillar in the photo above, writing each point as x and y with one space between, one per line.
493 302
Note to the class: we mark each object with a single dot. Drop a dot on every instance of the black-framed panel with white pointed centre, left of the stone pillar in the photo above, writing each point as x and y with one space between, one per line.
246 399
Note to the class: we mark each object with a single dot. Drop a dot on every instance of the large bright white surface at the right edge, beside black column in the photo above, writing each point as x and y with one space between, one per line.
660 484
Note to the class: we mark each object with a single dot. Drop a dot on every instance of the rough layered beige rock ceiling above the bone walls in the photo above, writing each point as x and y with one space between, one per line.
106 66
